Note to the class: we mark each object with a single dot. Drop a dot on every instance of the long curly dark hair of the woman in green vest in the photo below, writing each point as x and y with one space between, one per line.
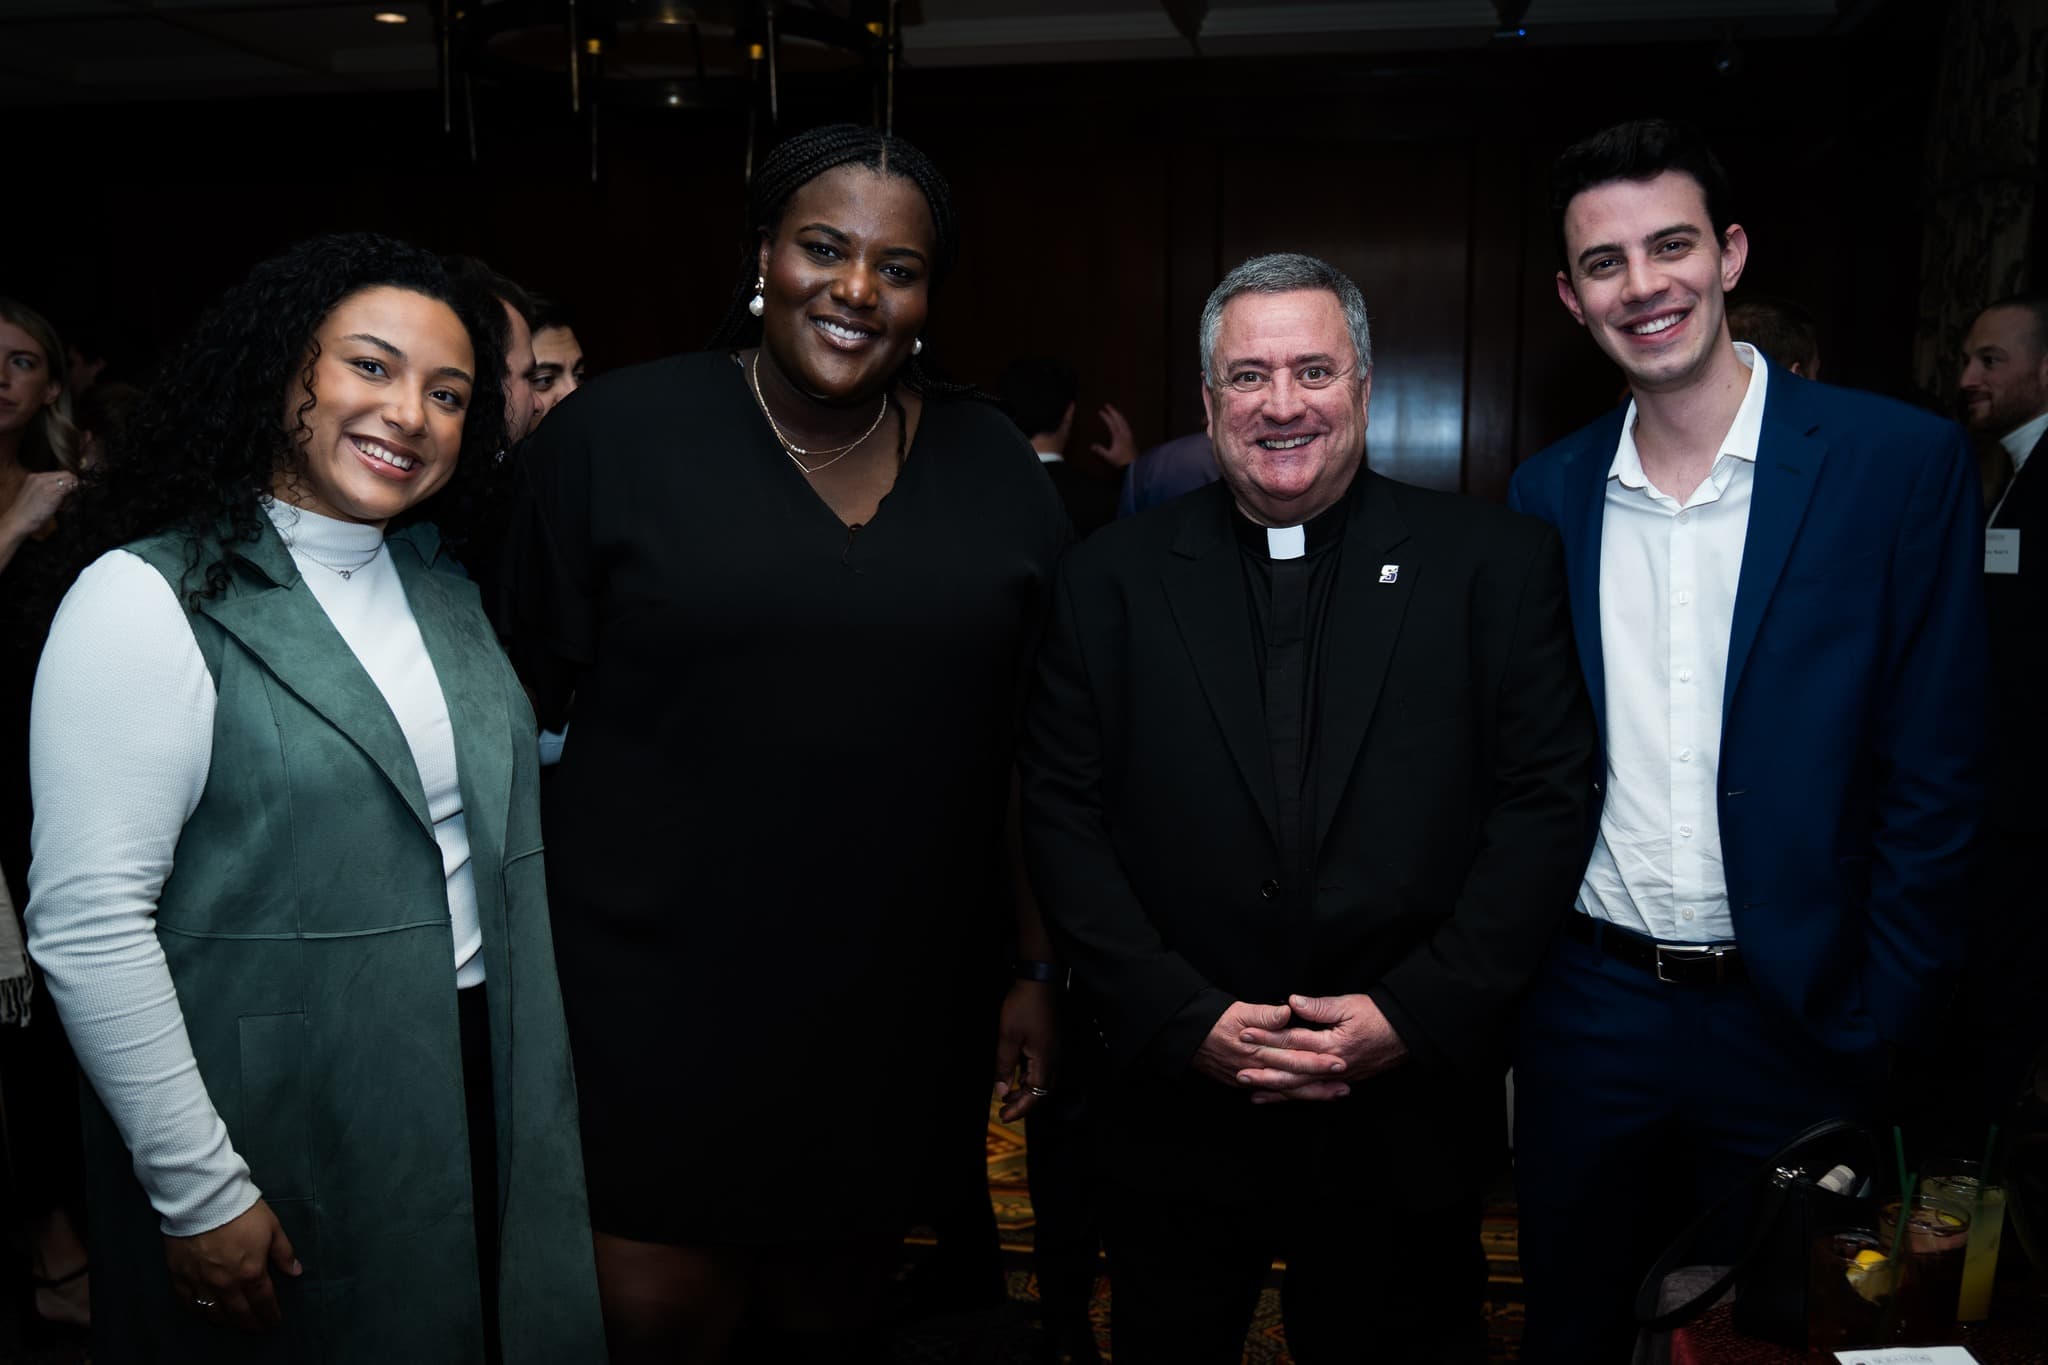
206 441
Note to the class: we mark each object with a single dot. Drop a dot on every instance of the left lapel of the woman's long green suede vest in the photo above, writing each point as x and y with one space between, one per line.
288 631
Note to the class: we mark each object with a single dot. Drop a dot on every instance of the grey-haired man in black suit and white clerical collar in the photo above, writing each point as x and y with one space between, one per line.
1306 777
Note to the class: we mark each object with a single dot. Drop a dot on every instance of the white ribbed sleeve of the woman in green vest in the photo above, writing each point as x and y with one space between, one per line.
120 746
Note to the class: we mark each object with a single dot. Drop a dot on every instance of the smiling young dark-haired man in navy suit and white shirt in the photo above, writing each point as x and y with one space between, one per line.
1779 609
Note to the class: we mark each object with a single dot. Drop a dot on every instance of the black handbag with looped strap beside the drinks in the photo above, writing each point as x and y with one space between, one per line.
1789 1210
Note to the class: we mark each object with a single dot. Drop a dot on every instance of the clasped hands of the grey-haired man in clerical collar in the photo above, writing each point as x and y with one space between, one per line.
1316 1047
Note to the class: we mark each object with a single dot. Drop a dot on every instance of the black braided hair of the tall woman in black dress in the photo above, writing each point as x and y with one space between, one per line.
798 163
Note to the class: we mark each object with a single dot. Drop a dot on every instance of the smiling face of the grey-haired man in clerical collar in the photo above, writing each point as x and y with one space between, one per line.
1289 404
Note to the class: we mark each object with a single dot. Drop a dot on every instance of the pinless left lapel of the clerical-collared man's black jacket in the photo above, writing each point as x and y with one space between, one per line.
1205 588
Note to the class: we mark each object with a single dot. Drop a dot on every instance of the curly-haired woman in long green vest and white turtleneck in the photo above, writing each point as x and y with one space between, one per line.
288 863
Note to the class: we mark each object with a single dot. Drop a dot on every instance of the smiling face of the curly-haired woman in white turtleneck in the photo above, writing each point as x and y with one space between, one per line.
390 392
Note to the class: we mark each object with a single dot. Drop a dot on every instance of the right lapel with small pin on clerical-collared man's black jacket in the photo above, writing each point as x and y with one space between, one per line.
1359 637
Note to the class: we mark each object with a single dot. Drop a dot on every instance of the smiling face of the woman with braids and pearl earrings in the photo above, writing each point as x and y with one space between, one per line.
847 283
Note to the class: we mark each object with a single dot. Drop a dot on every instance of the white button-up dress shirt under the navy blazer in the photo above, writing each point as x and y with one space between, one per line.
1668 580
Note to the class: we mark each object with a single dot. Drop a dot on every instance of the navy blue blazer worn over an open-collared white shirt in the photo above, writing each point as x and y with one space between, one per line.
1854 709
